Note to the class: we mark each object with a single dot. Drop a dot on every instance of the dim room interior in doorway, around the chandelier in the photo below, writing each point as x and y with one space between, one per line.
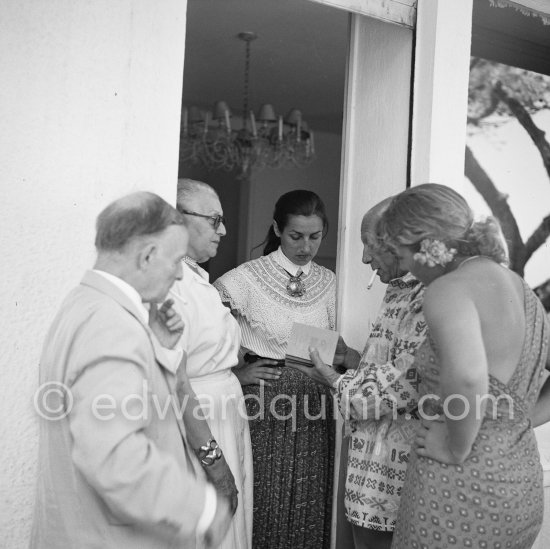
298 61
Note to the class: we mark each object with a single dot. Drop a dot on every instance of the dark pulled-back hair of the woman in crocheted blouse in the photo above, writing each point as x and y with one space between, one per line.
299 202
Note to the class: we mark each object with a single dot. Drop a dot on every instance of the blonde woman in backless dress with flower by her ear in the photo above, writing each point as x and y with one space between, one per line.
475 479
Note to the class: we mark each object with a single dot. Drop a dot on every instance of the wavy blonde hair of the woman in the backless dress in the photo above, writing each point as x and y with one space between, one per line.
438 212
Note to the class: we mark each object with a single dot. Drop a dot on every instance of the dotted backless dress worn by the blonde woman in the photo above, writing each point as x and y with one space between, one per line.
495 498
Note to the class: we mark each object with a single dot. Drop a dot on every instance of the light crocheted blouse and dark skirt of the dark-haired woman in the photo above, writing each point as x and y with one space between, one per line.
291 422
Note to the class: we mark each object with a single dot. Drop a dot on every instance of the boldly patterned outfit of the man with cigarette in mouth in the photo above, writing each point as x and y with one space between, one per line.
378 402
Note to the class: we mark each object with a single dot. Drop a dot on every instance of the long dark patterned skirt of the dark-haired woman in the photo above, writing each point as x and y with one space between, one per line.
292 430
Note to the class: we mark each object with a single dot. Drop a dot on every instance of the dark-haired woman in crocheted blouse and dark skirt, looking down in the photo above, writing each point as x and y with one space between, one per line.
291 418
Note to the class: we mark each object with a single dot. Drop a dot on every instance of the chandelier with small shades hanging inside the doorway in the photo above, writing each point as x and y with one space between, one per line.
217 142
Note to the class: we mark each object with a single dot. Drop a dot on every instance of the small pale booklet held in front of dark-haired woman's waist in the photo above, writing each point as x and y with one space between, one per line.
303 336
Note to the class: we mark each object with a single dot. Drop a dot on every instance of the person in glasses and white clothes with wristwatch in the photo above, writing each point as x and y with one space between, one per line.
216 428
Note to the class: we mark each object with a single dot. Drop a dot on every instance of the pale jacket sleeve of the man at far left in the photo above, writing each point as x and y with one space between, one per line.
112 404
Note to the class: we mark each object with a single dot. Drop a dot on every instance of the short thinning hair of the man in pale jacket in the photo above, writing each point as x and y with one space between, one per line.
137 214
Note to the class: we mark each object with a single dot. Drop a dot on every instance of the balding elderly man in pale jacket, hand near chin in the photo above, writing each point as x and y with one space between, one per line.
115 469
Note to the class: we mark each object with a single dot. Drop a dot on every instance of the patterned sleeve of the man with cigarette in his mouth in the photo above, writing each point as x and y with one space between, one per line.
388 387
